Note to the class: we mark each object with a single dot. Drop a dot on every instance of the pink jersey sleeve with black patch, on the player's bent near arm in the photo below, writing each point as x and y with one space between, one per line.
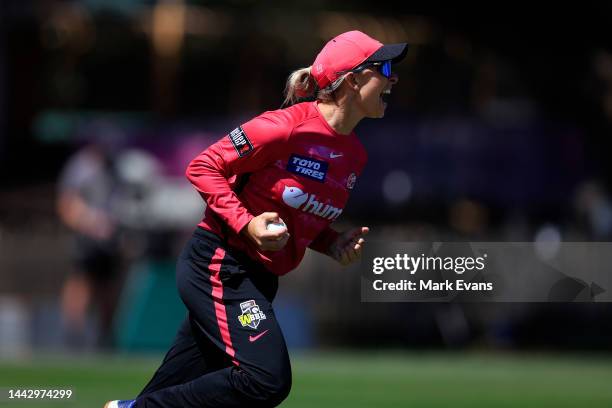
246 149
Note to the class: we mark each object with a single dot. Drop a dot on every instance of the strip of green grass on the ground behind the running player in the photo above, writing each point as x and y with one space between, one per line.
355 380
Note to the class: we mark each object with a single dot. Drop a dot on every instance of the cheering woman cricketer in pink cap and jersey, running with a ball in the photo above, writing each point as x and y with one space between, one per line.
272 187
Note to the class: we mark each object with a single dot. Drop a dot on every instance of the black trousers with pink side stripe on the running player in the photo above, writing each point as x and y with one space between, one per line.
230 351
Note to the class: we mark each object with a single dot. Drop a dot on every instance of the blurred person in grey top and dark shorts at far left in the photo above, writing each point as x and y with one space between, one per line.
87 187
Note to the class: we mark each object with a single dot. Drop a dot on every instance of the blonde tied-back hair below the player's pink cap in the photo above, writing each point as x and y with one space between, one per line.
301 86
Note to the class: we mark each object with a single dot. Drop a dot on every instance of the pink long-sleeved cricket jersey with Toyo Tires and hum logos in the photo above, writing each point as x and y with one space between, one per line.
297 166
